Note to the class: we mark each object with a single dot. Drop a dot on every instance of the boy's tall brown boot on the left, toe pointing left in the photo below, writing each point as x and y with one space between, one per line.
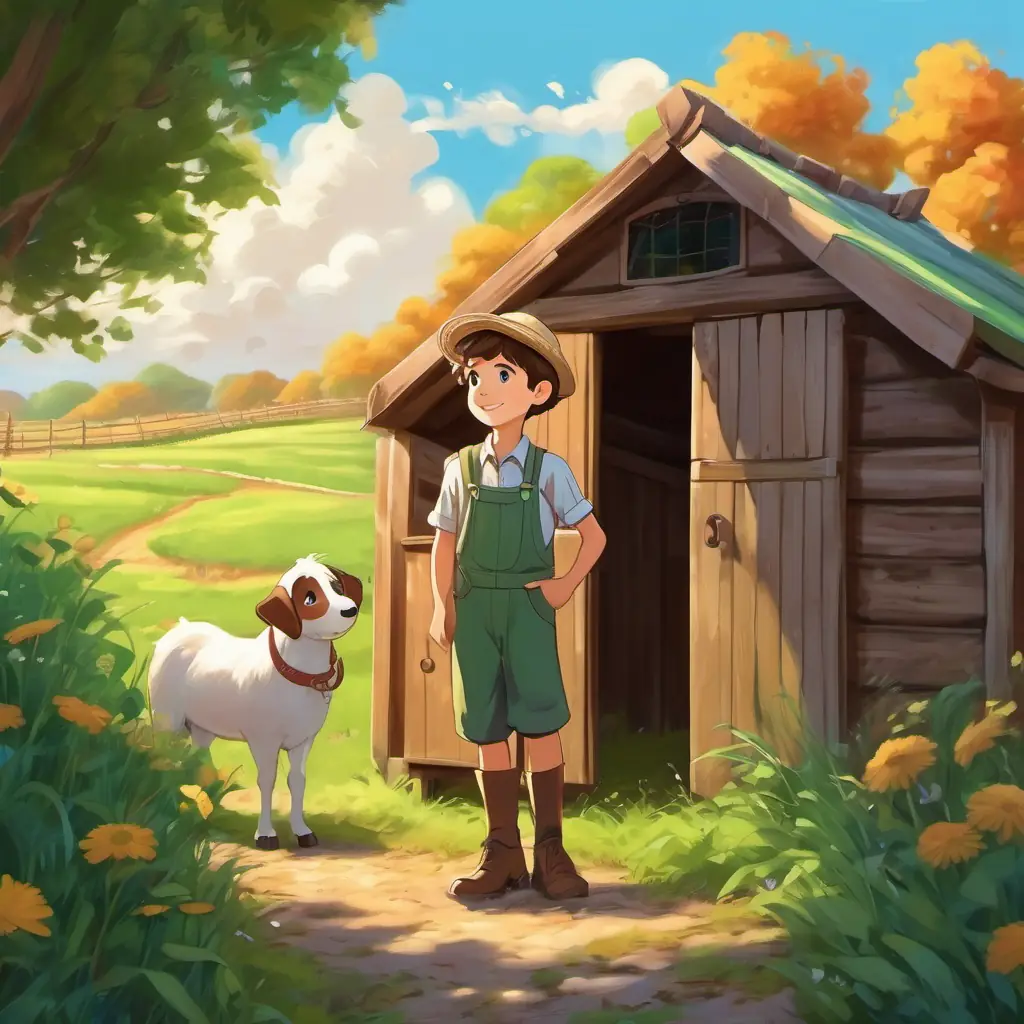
503 867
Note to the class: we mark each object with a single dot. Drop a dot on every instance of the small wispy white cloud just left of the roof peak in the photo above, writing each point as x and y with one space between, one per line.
620 92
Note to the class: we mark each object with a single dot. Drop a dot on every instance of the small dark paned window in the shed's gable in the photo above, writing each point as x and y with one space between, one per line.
684 240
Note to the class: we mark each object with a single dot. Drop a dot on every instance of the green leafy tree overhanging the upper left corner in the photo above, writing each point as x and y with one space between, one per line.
125 125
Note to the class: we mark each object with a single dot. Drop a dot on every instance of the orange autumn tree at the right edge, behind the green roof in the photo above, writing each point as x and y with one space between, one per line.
963 137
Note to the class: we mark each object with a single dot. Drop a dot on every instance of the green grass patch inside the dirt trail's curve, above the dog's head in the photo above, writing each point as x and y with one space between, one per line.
277 528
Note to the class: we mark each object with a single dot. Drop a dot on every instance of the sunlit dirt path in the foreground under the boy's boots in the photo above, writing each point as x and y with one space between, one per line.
387 916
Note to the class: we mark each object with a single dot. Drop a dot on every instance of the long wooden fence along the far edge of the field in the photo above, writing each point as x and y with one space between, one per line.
19 437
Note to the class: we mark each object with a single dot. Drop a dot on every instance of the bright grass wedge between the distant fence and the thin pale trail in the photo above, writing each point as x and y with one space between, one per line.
328 453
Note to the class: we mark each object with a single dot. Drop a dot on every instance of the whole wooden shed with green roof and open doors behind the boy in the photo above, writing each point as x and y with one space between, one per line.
797 416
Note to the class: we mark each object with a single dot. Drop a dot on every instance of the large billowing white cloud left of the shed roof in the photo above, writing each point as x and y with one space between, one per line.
351 239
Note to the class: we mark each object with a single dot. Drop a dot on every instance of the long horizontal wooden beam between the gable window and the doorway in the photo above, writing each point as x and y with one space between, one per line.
688 302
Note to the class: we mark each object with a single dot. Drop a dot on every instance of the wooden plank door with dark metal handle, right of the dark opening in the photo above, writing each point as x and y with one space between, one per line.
767 604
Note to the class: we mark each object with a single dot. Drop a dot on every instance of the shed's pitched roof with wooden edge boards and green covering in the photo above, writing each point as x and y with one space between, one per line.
942 295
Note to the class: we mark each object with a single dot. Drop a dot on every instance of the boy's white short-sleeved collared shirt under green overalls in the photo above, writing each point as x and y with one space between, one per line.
563 502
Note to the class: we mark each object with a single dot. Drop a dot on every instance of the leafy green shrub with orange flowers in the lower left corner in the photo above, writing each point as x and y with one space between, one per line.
76 756
